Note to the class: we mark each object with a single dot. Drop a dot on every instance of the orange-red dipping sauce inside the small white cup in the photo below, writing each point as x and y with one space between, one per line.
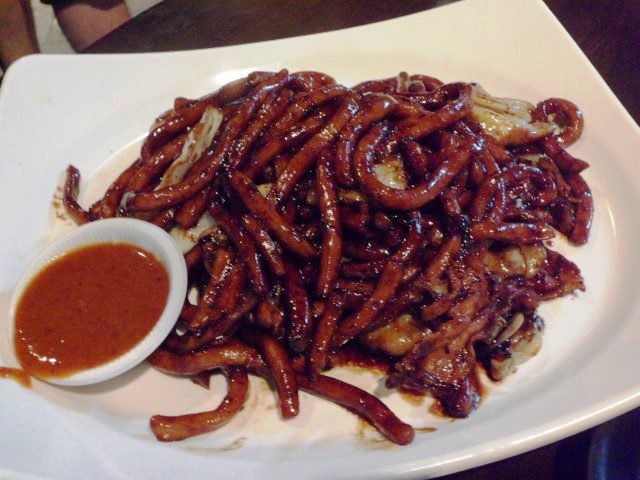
88 307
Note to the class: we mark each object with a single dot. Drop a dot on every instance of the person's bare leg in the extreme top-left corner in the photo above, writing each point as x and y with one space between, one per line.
17 33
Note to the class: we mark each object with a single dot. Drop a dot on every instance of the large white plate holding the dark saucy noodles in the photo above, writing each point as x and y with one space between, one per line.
92 111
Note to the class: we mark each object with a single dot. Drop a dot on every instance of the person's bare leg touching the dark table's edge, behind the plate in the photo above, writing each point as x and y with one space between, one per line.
84 22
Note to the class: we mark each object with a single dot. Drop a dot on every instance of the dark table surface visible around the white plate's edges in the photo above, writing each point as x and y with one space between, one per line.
608 33
